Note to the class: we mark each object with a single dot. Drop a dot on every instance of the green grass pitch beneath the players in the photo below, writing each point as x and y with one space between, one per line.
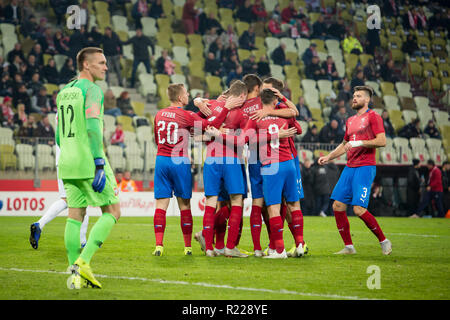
417 268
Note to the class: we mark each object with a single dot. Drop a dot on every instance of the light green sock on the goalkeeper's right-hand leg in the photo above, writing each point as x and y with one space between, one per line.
98 235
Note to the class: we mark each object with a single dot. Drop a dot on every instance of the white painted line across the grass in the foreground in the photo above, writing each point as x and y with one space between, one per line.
202 284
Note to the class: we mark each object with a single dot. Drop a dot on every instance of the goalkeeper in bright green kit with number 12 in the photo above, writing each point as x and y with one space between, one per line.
87 176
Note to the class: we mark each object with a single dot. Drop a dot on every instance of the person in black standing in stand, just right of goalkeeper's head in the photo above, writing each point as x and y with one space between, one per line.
112 49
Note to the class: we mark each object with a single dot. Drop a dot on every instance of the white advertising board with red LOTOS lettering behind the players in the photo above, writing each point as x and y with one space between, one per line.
132 204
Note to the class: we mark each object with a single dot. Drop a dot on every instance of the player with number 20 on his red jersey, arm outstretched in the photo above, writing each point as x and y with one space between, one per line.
172 168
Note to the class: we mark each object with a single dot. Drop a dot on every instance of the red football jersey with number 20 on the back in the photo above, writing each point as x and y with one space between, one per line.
172 127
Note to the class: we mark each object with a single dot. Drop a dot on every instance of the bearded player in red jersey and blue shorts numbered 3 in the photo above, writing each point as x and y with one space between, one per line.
363 134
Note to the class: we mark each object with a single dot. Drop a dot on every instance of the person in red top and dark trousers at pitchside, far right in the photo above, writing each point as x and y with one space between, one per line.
434 191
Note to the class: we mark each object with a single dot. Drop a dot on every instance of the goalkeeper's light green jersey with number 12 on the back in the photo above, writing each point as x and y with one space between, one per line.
77 102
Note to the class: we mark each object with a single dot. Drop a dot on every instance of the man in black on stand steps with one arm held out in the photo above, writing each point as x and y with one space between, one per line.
140 44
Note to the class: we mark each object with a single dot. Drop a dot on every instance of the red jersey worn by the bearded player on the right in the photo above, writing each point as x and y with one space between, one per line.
363 127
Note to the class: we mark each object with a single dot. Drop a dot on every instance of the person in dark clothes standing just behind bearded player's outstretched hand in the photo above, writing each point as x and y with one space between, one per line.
321 188
